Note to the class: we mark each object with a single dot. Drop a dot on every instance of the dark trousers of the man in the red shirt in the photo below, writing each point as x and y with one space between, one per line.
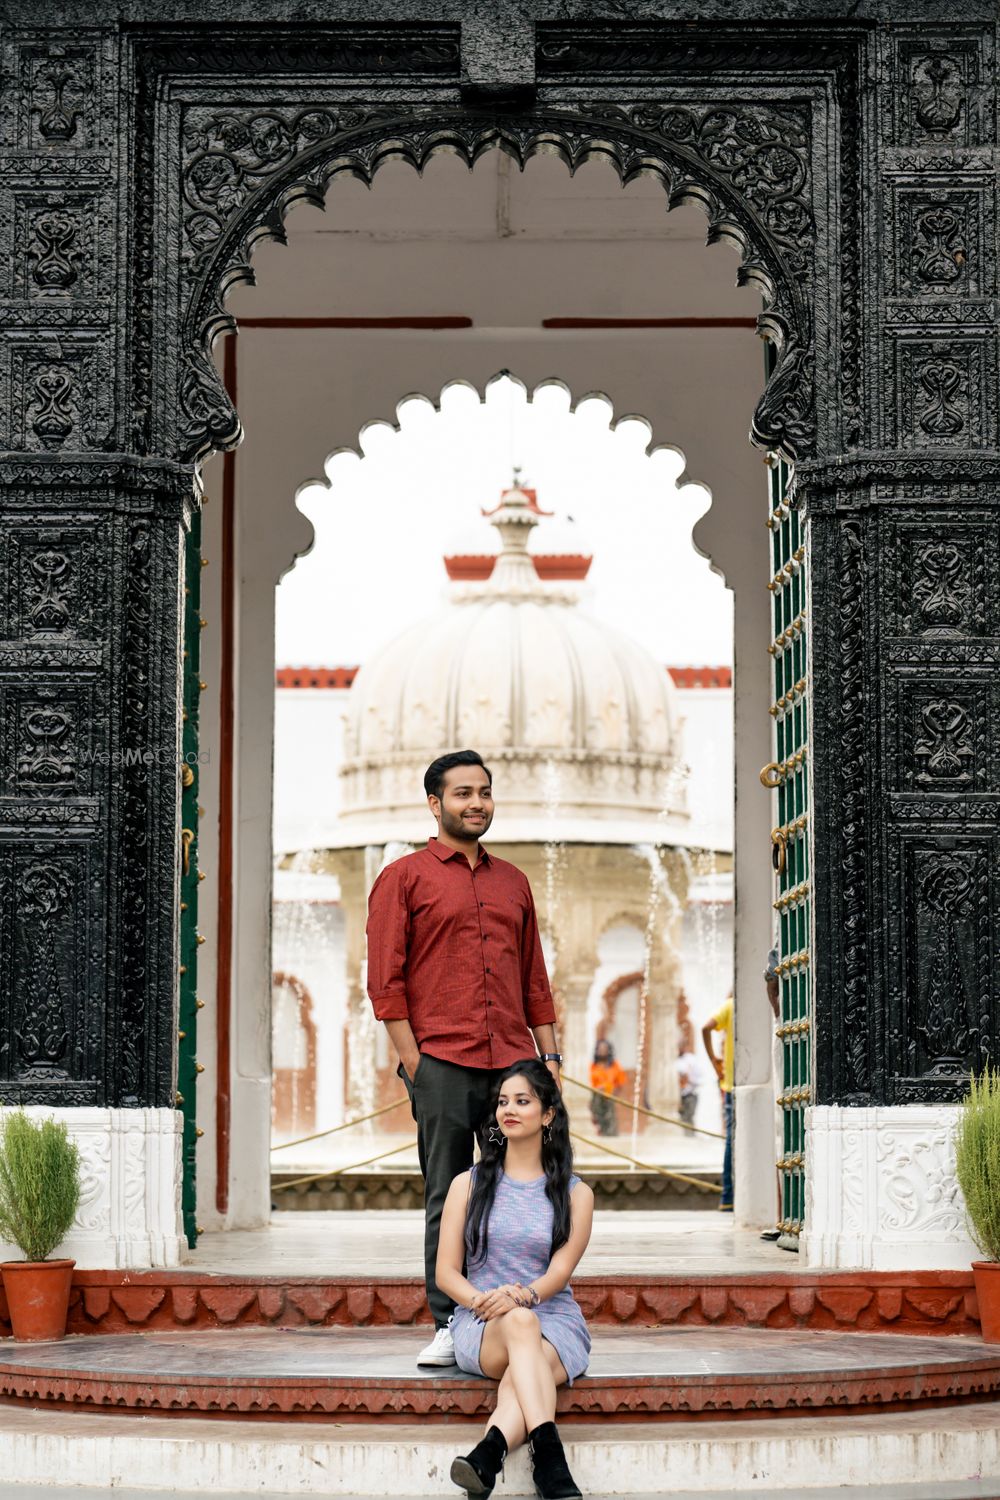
449 1105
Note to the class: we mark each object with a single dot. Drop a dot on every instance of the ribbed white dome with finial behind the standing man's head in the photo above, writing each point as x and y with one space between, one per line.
578 722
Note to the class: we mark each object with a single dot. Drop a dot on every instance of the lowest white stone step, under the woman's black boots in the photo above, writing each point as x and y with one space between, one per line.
46 1451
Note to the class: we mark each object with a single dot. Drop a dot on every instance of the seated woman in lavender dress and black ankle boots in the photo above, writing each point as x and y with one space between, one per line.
521 1220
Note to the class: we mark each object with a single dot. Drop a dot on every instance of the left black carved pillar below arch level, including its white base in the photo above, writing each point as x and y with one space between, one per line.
92 554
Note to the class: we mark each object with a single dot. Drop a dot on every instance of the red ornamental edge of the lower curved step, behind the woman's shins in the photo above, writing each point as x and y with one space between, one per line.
615 1396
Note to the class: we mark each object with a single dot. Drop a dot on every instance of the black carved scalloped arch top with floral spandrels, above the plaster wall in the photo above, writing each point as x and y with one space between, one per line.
746 166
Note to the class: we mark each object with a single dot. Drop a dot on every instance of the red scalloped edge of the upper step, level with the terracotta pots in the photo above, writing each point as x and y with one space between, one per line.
885 1303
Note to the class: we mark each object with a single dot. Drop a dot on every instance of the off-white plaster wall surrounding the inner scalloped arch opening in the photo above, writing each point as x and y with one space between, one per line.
507 251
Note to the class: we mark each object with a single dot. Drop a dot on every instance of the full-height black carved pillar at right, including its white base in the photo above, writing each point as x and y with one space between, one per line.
905 547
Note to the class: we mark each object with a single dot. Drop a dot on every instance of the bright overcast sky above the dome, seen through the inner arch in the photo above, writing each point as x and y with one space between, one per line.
419 491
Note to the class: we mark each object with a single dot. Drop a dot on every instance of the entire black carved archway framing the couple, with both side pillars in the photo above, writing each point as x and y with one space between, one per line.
854 160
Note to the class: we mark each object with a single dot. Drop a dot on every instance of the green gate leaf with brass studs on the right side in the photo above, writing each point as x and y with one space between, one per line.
788 776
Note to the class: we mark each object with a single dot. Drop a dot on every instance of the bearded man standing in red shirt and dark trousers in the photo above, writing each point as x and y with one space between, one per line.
455 971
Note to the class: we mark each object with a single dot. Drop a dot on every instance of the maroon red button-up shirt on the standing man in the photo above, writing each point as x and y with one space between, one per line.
457 953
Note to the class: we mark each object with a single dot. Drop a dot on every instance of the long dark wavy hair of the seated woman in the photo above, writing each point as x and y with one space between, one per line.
557 1160
